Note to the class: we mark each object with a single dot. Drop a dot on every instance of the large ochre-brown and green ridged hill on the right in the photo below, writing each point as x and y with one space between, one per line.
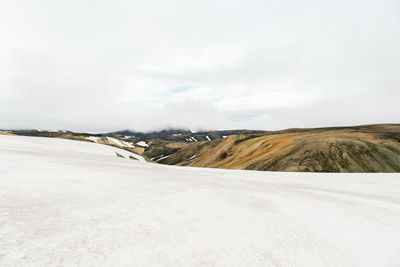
371 148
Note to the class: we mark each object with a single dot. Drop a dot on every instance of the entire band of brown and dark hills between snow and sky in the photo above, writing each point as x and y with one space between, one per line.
368 148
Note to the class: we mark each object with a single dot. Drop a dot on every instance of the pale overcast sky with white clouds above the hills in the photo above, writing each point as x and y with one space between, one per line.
213 64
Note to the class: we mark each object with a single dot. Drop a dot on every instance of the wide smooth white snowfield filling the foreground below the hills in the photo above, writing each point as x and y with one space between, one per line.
70 203
